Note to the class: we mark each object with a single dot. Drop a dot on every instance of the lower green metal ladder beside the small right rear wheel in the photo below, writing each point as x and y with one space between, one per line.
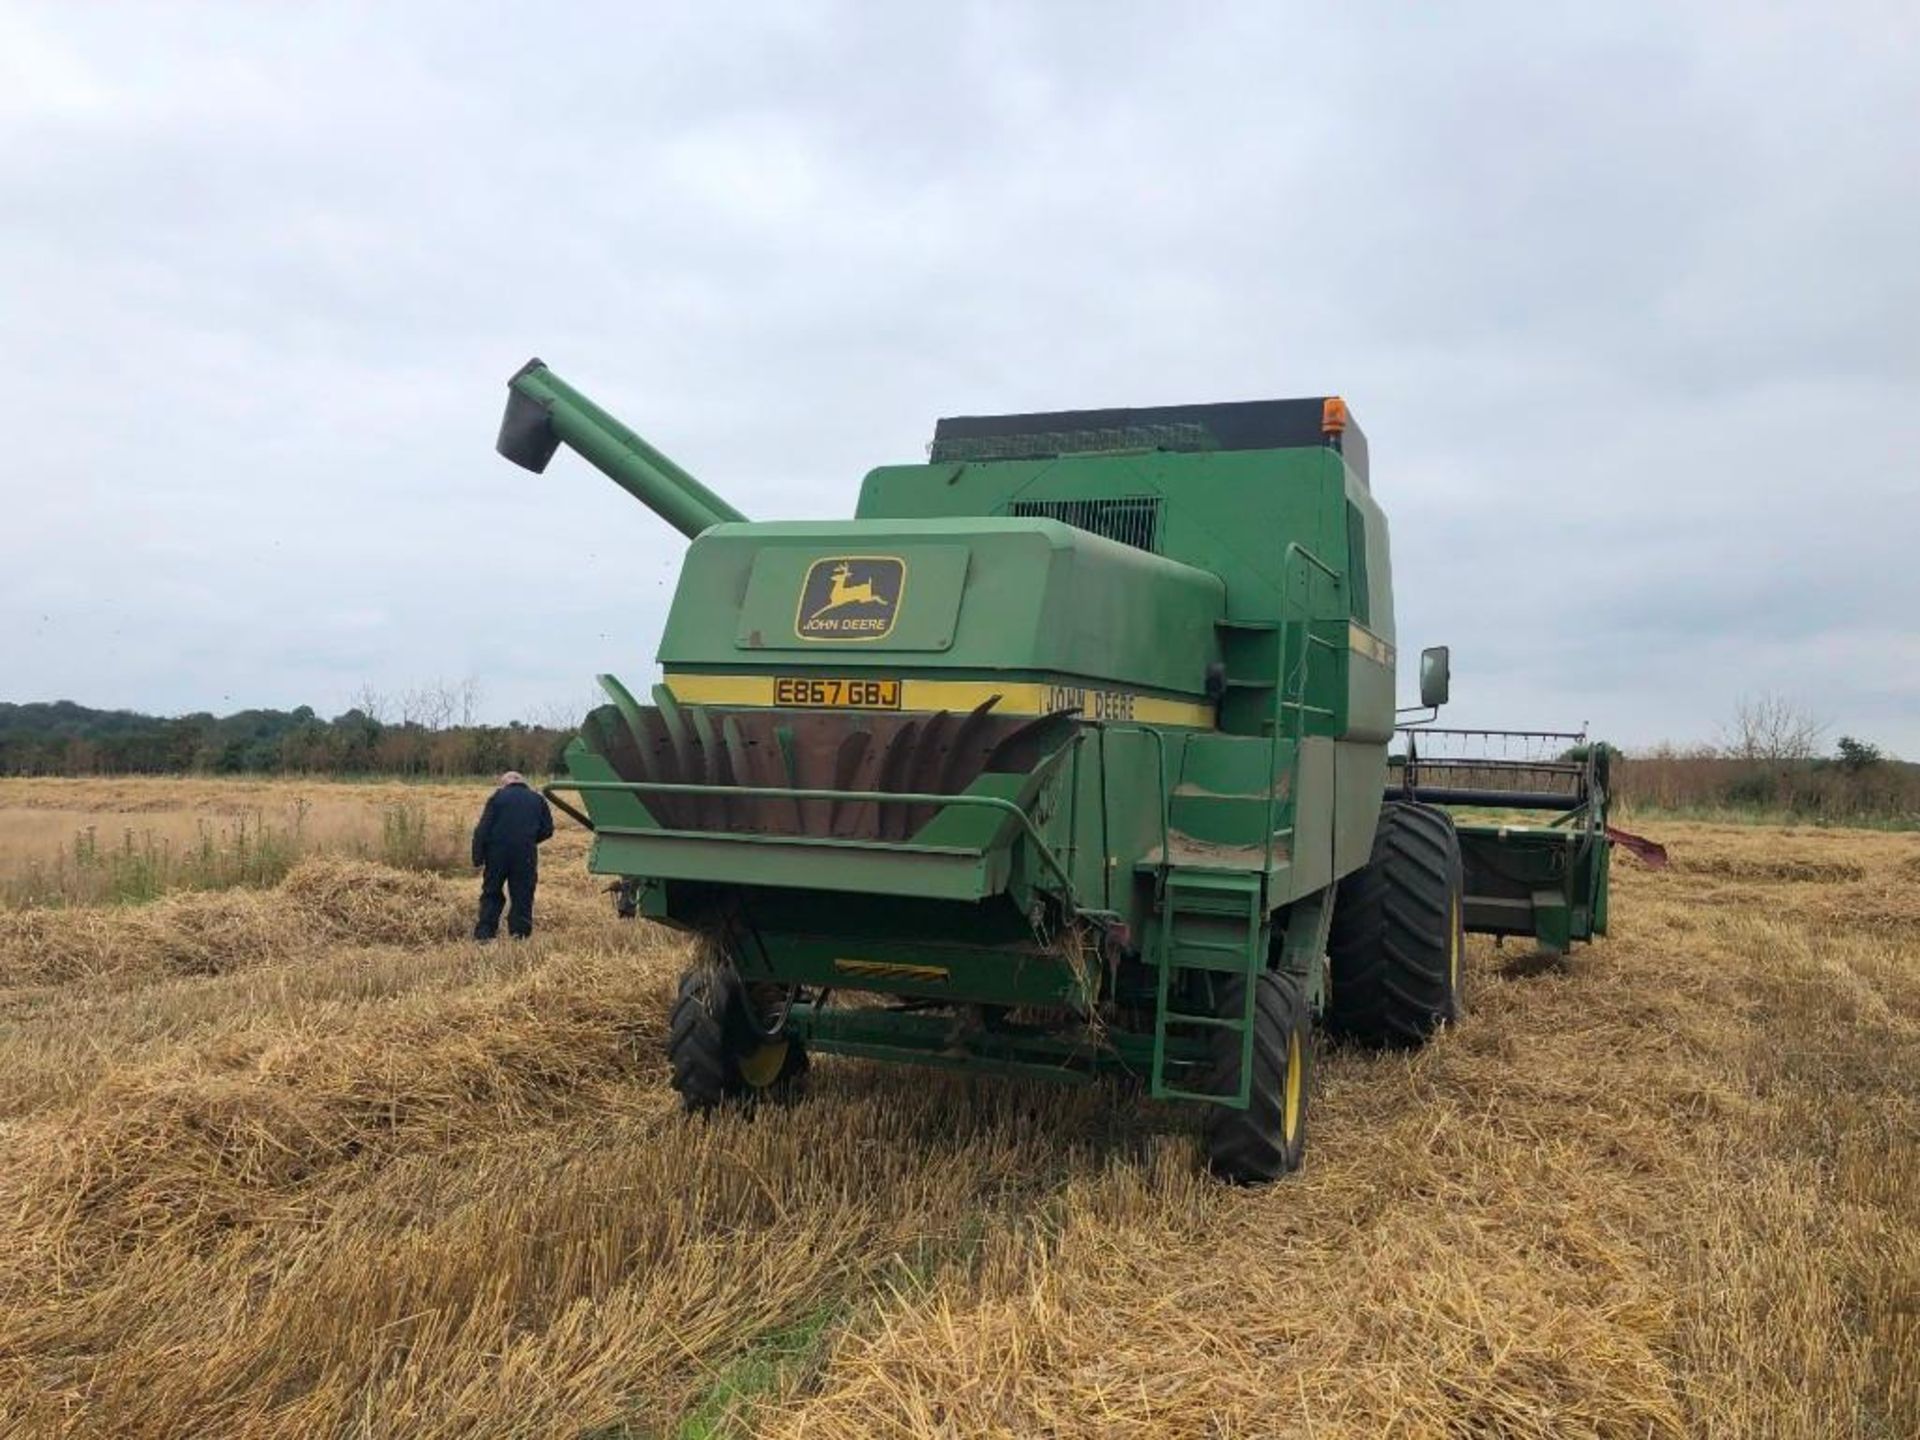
1211 923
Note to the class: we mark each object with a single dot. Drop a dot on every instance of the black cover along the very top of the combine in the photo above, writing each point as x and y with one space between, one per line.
1230 425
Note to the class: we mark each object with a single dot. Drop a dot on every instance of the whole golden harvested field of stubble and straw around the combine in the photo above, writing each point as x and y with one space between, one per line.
297 1159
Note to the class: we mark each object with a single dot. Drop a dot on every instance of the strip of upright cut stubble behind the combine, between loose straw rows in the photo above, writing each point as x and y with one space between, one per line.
594 1280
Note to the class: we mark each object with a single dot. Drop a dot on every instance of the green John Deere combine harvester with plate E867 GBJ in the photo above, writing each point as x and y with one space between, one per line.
1068 756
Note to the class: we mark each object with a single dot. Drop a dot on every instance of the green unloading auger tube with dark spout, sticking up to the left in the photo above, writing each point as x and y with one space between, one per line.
546 414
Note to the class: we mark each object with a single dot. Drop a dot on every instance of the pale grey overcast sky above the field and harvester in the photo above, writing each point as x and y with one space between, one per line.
1625 297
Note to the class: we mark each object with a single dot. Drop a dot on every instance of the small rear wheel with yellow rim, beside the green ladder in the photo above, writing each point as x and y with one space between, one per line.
1270 1138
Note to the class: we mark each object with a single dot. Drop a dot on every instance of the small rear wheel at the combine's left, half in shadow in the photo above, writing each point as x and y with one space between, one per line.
719 1047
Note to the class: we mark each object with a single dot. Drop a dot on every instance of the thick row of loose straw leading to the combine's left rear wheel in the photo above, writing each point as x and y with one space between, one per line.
185 1151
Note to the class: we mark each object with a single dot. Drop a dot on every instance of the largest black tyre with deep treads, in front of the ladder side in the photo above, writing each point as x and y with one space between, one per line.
1397 948
